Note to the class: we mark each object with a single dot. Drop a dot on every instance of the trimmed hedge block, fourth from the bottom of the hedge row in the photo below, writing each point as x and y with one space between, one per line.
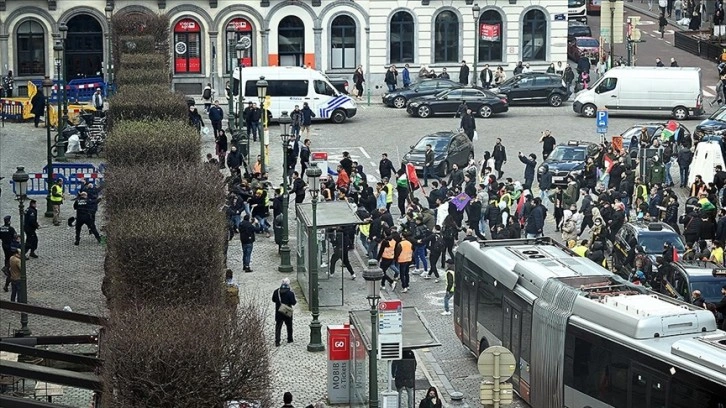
152 143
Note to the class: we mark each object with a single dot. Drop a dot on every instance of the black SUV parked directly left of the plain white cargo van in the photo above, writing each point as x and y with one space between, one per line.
534 88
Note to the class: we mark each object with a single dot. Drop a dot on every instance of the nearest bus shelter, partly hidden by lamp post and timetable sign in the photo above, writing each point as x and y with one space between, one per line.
416 335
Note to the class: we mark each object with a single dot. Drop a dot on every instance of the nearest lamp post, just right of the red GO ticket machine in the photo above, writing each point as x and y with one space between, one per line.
373 275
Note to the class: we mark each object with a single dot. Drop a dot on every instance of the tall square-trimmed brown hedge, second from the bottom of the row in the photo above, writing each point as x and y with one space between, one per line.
168 257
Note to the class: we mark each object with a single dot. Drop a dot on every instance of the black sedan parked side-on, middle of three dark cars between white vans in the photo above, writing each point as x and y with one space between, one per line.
481 102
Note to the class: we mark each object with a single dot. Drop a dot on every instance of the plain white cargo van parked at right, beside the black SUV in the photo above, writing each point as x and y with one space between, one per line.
650 90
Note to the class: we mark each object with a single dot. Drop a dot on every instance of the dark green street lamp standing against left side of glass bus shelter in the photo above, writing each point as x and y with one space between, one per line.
313 174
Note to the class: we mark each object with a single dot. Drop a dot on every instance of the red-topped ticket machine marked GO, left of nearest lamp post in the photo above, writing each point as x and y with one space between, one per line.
338 364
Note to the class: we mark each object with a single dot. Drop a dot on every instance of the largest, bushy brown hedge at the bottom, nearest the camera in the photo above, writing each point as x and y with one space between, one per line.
186 357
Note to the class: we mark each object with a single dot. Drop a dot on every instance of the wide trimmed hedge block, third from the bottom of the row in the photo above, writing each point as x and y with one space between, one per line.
162 187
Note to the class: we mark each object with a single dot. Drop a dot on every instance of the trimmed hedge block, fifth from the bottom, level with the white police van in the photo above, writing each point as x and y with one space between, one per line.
152 102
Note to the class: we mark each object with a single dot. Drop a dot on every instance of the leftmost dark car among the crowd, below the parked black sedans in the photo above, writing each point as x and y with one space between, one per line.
449 148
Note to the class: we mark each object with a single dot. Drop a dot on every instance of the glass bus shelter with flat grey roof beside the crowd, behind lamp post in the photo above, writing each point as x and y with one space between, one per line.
315 248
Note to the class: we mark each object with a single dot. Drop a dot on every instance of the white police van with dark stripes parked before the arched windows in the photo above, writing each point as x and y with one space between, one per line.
290 86
